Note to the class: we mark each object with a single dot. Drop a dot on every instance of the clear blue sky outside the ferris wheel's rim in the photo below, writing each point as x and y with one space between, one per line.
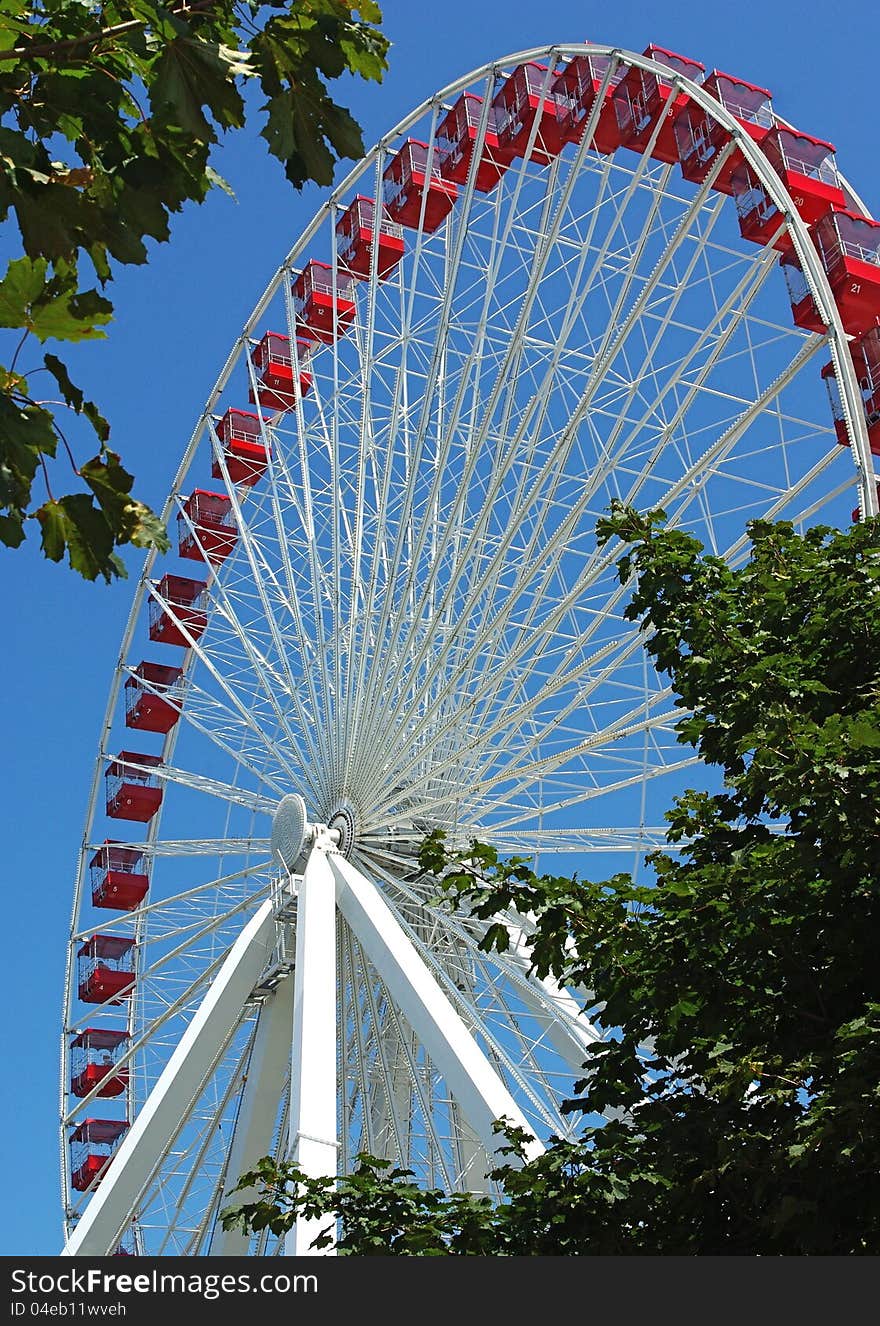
176 324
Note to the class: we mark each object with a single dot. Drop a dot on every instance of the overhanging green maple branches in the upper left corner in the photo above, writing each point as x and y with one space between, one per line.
109 113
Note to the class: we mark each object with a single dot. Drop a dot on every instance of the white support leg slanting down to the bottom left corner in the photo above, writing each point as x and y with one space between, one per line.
158 1124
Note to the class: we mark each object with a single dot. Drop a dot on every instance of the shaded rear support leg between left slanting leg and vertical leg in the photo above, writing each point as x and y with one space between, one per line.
256 1121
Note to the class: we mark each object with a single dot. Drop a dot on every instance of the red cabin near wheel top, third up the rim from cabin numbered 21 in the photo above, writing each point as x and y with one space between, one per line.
645 99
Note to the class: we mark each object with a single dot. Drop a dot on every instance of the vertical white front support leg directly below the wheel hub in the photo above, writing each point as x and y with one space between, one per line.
313 1144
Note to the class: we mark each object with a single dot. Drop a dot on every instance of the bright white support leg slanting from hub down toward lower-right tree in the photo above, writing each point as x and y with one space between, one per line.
479 1091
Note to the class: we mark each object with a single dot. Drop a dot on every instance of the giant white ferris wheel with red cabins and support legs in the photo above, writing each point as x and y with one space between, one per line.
575 275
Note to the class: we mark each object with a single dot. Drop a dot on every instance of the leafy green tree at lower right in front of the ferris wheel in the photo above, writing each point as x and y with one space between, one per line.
744 1079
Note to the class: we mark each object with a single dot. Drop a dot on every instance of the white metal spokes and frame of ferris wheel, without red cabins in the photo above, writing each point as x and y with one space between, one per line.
414 629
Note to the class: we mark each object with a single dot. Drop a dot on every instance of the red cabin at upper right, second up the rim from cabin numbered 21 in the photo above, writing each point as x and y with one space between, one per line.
702 140
